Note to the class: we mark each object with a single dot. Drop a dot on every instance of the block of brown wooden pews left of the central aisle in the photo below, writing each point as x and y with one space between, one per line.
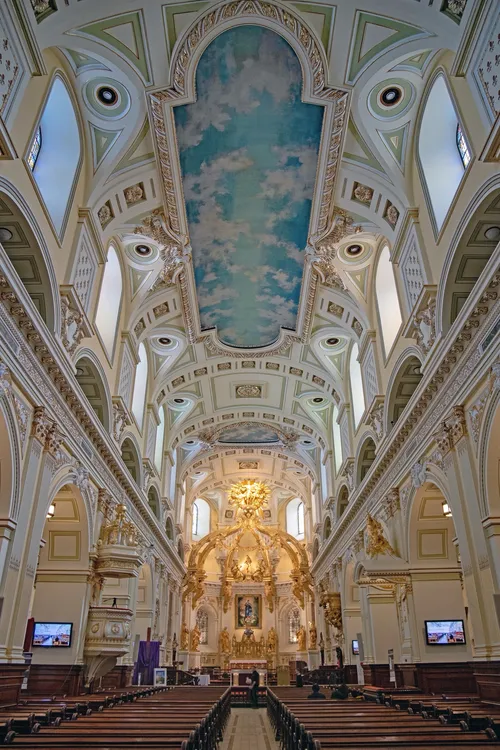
184 718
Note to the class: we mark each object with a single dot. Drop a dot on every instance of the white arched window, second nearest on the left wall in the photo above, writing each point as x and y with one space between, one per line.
108 307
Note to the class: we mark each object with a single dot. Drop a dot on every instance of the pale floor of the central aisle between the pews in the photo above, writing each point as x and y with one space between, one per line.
249 729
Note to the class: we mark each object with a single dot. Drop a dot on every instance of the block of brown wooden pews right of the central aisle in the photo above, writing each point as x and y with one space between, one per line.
357 724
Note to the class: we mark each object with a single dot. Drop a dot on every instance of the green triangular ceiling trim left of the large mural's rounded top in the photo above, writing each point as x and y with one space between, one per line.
100 31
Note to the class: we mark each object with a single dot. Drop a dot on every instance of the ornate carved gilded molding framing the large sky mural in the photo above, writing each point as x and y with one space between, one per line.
188 50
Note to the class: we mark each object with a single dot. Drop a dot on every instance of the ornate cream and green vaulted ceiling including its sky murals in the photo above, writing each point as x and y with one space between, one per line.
248 125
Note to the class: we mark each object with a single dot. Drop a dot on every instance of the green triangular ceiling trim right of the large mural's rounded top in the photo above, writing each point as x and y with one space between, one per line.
402 32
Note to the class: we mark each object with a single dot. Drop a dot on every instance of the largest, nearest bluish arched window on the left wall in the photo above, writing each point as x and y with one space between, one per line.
54 153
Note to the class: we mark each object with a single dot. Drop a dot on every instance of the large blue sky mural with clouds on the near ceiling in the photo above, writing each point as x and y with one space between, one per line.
248 150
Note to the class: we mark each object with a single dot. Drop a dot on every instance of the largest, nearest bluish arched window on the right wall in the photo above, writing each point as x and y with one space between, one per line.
442 159
